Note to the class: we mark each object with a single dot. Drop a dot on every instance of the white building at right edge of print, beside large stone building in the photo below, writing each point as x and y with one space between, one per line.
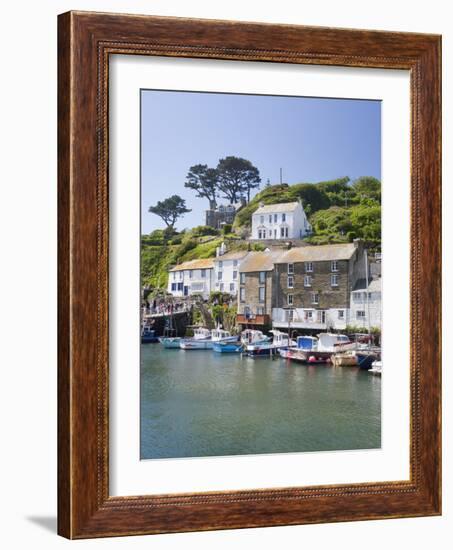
366 310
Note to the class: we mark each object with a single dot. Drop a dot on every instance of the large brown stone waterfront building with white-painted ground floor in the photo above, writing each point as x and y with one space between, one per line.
313 285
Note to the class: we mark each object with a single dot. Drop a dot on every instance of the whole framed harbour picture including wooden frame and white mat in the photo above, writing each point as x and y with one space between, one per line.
249 275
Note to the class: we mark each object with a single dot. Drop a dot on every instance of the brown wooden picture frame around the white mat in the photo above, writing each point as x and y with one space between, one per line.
86 41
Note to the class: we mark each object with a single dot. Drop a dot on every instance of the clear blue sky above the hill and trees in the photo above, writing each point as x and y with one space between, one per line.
311 139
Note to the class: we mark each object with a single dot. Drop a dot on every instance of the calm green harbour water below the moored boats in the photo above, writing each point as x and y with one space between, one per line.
200 403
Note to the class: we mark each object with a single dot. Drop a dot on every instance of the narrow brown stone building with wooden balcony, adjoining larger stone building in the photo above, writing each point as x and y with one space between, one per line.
256 289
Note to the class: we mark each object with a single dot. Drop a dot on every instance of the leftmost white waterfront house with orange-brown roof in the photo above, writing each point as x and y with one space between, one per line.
193 277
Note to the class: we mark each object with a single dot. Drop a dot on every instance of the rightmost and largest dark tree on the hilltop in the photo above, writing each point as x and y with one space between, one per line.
237 176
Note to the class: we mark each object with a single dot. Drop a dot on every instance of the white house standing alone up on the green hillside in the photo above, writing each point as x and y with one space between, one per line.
280 222
